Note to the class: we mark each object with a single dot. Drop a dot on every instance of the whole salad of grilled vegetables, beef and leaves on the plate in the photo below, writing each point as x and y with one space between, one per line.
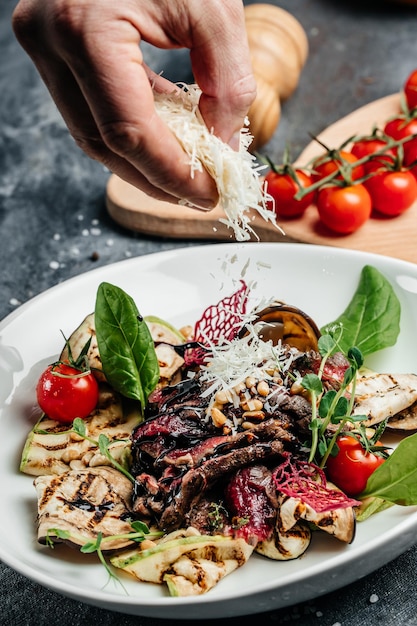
245 433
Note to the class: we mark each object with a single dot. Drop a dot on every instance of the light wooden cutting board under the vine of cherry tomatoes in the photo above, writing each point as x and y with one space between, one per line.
395 237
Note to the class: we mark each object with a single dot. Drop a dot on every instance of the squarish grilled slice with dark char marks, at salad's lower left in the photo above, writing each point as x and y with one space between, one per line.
85 503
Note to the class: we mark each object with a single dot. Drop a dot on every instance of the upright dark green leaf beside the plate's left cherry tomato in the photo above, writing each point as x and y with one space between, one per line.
125 344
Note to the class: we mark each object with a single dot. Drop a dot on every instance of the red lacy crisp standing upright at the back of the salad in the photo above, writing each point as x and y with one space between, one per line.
219 321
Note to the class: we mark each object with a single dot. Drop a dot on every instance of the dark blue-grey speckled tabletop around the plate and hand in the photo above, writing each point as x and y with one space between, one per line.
53 225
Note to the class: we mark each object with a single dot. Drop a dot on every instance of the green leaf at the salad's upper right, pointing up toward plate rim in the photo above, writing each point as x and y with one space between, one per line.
371 321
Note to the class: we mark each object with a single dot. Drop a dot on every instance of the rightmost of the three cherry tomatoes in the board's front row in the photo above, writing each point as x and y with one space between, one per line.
392 192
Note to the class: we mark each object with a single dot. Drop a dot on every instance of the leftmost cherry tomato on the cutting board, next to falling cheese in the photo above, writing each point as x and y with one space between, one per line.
283 187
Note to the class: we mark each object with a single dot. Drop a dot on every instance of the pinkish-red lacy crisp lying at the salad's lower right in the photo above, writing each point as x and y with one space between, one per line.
307 482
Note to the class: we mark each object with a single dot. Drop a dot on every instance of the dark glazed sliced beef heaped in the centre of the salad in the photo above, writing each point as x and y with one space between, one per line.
179 454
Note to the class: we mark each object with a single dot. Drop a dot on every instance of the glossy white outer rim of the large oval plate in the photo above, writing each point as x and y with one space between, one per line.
263 596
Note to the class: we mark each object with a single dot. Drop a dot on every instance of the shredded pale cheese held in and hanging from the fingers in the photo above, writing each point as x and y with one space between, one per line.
235 172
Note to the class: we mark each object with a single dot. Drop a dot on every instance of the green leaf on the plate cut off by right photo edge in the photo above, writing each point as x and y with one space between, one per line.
396 479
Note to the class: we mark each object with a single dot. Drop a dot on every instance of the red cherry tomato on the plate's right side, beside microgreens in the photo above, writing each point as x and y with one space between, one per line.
351 467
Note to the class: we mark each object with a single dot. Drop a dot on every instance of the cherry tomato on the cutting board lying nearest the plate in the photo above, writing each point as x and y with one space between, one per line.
344 209
